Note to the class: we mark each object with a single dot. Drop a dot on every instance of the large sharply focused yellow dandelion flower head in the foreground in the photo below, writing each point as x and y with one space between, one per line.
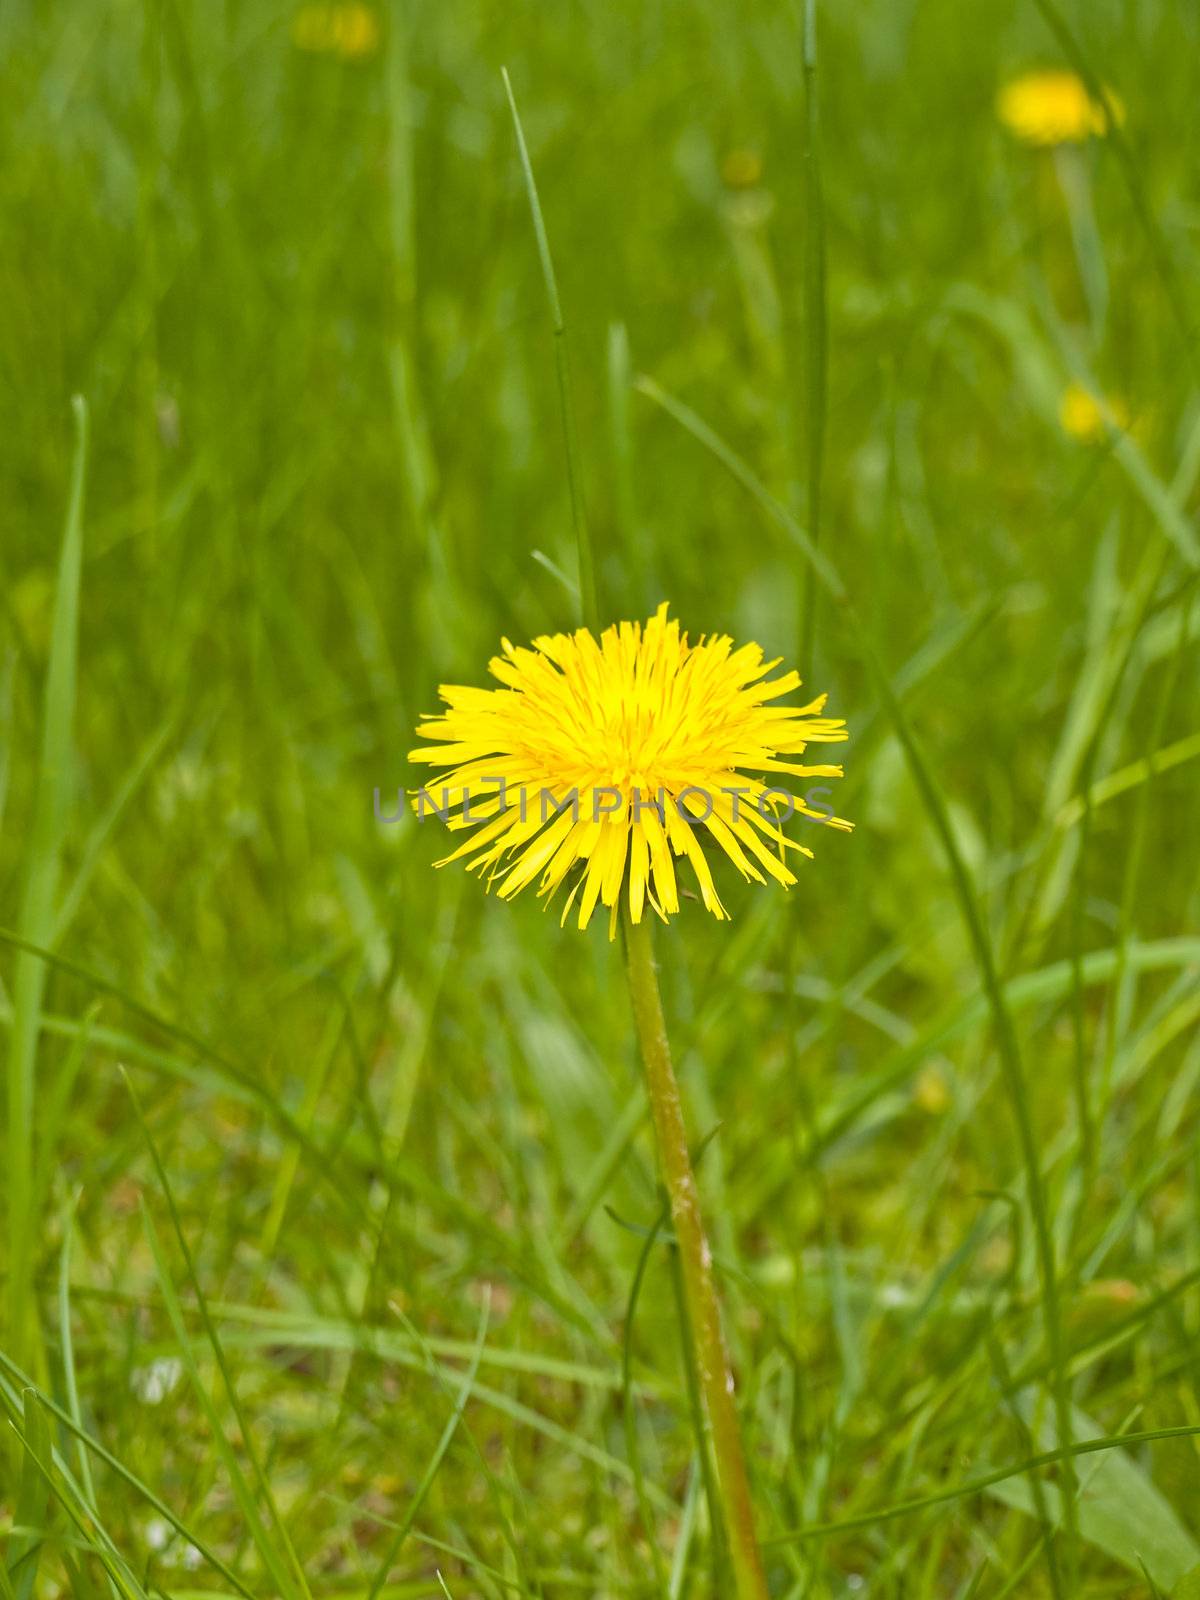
604 762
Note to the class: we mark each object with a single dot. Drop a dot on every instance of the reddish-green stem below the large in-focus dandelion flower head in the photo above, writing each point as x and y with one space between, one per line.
713 1362
